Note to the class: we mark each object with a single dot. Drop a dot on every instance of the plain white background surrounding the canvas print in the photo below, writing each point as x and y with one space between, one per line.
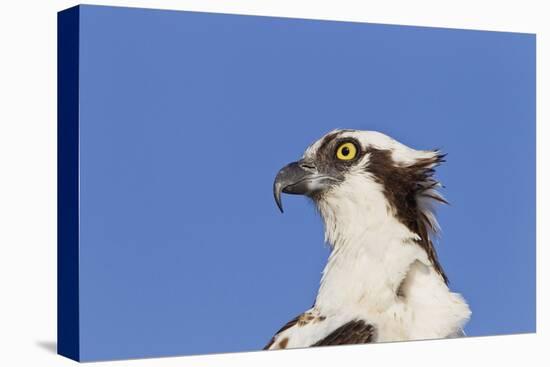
28 180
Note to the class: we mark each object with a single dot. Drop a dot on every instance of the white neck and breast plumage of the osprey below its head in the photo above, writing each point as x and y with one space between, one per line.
378 272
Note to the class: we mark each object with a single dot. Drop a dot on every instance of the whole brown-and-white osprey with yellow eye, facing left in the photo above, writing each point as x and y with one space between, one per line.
382 281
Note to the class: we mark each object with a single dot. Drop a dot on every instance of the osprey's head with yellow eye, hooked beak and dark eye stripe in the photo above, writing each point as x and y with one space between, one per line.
366 157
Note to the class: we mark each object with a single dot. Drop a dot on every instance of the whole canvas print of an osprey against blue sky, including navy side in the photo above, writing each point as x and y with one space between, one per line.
233 183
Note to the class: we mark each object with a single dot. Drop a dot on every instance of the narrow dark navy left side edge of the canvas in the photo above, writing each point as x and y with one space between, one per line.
67 183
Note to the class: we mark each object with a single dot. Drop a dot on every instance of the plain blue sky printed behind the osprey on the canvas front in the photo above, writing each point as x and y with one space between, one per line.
187 117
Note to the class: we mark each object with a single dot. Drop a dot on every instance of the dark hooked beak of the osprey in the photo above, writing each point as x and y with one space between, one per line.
299 178
